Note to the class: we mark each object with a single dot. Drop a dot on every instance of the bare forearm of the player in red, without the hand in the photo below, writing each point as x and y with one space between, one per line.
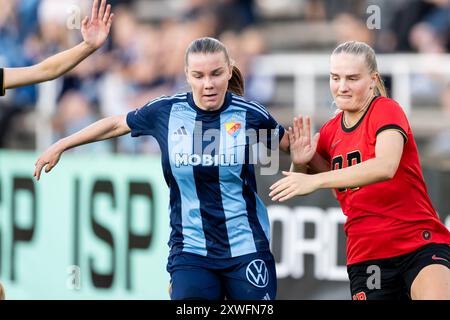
364 173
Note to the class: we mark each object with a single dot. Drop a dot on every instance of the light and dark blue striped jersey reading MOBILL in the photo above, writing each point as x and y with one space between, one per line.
215 210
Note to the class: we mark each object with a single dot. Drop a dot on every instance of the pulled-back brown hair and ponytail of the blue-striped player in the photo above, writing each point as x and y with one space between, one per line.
211 45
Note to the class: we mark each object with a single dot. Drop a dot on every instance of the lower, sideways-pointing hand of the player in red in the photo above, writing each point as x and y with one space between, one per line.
294 184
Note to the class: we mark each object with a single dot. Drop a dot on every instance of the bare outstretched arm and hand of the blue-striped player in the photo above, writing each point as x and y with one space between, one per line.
107 128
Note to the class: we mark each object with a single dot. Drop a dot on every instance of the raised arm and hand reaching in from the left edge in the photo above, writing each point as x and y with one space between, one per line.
94 30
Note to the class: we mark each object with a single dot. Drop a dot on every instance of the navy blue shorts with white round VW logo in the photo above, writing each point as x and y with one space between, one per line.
248 277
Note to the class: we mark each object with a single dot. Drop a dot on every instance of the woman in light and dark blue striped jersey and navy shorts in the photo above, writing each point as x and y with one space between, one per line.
219 237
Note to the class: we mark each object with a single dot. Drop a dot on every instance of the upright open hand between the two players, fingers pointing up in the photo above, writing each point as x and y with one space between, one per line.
301 145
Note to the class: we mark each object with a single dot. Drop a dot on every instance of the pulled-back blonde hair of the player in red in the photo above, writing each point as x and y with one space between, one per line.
361 48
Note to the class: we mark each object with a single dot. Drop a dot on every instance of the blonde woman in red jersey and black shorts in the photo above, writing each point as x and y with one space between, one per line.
367 153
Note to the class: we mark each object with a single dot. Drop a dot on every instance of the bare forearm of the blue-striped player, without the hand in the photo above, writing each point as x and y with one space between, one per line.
101 130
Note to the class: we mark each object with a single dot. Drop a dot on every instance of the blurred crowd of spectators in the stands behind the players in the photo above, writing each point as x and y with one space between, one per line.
144 56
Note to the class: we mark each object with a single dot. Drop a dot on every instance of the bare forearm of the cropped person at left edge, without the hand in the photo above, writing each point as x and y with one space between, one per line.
48 69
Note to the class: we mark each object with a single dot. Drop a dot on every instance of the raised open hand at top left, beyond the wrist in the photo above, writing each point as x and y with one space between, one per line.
96 29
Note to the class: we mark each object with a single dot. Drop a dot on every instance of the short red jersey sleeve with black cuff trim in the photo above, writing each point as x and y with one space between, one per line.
389 115
